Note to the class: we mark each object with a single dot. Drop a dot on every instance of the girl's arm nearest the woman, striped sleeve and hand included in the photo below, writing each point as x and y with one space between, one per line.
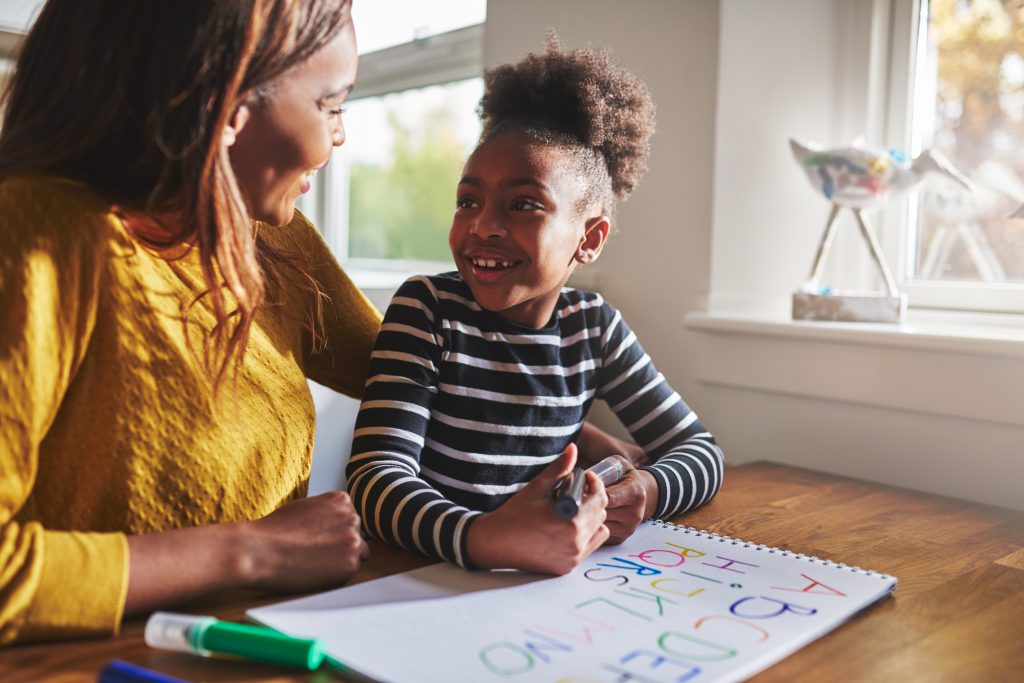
400 506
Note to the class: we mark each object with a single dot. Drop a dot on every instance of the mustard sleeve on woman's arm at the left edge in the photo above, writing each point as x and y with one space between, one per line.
53 584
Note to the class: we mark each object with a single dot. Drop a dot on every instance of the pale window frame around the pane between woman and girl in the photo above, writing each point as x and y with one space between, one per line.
446 58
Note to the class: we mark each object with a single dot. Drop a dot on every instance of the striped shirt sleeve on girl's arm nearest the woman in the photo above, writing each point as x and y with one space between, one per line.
394 501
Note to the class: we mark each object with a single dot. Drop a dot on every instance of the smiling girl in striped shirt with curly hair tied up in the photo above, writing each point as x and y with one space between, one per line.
481 379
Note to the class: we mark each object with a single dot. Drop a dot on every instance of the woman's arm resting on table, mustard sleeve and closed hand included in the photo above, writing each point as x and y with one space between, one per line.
58 584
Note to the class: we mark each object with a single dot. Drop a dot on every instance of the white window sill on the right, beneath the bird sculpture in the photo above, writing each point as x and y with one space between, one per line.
952 366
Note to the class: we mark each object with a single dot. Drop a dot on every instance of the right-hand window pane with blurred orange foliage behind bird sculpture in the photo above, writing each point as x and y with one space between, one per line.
974 114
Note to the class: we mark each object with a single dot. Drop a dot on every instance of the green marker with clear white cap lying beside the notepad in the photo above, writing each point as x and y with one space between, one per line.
206 636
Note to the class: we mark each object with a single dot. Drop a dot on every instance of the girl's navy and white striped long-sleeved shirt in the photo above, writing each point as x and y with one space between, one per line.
463 408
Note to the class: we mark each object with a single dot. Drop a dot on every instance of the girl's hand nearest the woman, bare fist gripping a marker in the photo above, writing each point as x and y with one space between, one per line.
526 534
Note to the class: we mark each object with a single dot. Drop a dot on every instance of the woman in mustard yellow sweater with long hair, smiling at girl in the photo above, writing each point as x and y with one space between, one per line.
162 307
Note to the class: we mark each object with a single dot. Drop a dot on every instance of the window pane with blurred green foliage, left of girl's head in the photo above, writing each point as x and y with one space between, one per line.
405 152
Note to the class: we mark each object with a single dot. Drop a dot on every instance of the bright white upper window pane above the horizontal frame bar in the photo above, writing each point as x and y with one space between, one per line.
381 25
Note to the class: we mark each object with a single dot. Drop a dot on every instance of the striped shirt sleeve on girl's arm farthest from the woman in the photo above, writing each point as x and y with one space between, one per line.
689 464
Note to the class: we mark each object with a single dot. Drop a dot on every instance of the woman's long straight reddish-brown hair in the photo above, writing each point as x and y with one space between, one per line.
133 100
